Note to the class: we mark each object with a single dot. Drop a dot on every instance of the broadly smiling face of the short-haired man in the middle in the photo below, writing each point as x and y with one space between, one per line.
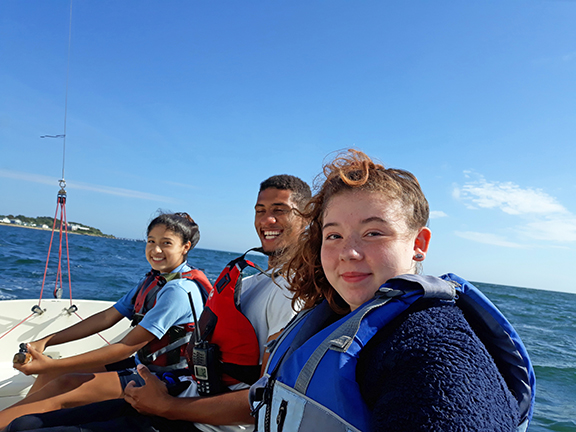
276 223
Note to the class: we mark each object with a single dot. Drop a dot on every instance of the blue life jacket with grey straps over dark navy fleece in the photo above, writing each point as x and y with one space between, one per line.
310 382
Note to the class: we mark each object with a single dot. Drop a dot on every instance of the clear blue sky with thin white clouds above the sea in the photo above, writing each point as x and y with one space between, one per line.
187 105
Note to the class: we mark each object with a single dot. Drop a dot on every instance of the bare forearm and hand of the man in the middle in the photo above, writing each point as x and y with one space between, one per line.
224 409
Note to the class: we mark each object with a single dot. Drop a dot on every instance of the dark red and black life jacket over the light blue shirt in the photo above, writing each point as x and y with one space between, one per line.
168 352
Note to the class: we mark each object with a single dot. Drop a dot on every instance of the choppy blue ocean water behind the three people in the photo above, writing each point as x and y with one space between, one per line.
105 269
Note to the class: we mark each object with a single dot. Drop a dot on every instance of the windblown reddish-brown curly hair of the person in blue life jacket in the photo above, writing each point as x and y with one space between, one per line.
349 171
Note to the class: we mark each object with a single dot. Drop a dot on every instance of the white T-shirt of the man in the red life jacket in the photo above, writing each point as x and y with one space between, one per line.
268 306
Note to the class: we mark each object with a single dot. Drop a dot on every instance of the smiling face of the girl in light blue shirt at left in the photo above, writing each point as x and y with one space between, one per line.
164 249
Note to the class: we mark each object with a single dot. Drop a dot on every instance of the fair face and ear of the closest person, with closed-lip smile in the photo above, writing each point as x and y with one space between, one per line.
365 242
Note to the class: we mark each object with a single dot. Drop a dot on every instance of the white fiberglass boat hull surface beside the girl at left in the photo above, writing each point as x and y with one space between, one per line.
13 384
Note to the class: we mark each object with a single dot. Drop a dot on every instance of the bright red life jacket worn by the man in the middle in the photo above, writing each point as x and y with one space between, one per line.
223 323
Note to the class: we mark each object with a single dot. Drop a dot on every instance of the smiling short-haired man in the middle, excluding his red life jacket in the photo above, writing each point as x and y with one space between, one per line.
265 302
